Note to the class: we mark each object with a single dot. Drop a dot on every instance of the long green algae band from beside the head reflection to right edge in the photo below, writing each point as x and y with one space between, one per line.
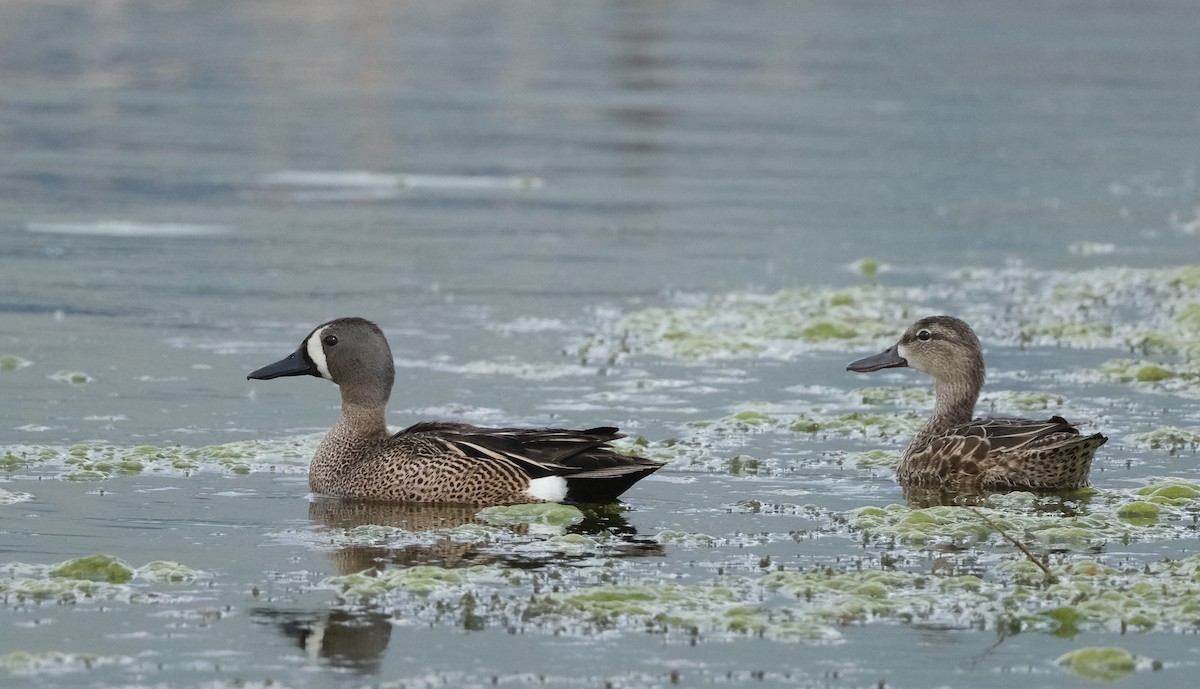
799 604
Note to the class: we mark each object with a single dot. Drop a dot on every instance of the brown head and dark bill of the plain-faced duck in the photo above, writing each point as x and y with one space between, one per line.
941 346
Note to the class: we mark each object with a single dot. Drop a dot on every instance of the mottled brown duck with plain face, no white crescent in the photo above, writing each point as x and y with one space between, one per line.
953 451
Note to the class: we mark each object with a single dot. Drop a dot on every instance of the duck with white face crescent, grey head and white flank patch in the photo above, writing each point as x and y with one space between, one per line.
441 462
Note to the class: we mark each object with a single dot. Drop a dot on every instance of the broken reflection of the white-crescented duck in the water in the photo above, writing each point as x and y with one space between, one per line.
355 638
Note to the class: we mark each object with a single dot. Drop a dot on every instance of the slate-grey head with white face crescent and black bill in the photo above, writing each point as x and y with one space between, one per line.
351 352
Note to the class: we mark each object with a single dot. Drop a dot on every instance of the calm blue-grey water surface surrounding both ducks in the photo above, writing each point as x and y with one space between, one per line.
188 188
